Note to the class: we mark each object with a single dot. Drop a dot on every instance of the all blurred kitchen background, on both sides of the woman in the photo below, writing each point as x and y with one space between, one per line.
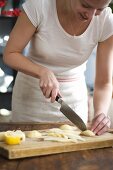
9 12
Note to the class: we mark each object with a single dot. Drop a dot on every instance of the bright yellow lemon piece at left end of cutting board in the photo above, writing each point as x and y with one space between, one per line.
12 140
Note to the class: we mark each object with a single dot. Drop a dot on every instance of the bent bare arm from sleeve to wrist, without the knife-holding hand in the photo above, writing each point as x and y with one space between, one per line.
19 38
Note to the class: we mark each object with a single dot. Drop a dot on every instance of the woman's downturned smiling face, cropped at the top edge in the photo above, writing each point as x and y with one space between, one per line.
86 9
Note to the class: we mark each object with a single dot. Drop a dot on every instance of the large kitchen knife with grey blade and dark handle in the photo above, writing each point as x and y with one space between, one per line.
70 114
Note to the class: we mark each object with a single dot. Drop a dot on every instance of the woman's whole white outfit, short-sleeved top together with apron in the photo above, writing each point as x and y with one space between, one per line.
62 53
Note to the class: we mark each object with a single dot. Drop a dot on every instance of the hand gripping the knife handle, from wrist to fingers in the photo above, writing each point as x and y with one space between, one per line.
49 84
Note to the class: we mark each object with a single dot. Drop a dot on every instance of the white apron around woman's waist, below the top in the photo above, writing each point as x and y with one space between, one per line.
29 104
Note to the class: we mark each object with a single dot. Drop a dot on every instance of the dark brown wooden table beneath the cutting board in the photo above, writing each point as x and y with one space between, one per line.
97 159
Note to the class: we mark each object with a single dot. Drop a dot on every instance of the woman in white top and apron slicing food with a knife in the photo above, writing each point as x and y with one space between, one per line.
62 35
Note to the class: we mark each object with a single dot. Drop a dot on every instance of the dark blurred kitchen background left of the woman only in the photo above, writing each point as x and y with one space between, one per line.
9 11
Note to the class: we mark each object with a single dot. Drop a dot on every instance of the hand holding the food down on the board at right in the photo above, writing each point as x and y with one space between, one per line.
100 124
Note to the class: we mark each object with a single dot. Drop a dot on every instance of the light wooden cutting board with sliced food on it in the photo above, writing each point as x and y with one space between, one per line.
37 148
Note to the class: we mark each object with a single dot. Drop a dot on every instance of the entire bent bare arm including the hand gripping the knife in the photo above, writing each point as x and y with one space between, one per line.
19 37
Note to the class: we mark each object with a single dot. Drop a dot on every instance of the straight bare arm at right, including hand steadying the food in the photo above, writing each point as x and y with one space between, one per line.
103 86
